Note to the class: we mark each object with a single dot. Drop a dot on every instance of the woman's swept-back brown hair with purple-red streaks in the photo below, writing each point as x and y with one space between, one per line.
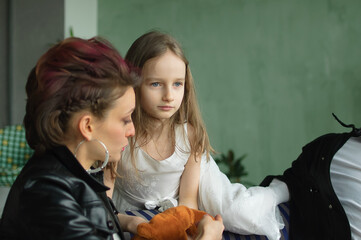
72 76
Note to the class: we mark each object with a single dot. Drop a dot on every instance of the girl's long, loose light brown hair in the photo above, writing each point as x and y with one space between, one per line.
151 45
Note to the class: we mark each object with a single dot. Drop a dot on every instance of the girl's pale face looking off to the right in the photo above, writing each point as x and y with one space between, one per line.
162 90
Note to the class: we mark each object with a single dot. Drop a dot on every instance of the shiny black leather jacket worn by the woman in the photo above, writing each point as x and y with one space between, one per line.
55 198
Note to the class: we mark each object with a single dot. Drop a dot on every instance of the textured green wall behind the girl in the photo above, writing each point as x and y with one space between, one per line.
268 73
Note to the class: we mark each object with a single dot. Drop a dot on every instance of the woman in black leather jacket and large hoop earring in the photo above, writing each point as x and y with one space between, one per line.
78 118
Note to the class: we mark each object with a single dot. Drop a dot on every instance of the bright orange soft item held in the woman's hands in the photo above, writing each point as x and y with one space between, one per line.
174 223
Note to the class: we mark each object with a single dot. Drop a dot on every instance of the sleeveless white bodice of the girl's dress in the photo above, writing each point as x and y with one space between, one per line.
155 180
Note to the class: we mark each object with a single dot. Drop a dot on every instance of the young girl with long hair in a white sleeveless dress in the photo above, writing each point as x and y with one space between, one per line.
169 157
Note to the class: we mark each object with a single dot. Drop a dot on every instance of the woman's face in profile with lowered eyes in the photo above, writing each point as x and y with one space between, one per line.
117 126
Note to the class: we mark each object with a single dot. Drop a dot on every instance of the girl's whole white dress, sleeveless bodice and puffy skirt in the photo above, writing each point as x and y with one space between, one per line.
244 211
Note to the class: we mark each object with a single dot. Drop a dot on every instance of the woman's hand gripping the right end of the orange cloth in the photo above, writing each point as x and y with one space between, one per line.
210 229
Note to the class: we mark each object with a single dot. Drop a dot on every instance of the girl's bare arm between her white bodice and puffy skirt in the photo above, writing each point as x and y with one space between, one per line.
188 190
